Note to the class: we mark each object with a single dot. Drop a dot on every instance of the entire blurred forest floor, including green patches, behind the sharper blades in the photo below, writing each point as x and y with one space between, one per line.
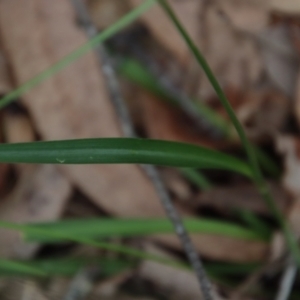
253 48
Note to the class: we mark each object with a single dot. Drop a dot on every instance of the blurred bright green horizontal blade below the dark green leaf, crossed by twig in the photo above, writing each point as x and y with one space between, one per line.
103 228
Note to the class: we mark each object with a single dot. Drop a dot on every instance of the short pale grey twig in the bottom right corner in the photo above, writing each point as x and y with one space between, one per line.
287 280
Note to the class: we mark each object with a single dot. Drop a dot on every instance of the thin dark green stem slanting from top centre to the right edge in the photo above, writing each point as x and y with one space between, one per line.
257 174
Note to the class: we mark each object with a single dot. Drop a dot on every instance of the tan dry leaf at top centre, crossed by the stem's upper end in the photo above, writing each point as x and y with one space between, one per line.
162 28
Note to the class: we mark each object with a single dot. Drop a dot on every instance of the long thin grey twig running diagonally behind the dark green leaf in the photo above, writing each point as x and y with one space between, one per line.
151 171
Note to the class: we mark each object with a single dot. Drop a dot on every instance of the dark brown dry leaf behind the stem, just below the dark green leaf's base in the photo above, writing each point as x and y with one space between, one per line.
246 197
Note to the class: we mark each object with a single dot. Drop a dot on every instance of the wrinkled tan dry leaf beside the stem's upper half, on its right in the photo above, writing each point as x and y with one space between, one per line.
233 58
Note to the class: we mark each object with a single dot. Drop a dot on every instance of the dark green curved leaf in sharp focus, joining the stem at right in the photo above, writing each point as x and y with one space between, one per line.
121 150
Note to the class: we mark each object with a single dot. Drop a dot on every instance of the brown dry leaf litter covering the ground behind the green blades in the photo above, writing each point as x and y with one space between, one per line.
252 47
